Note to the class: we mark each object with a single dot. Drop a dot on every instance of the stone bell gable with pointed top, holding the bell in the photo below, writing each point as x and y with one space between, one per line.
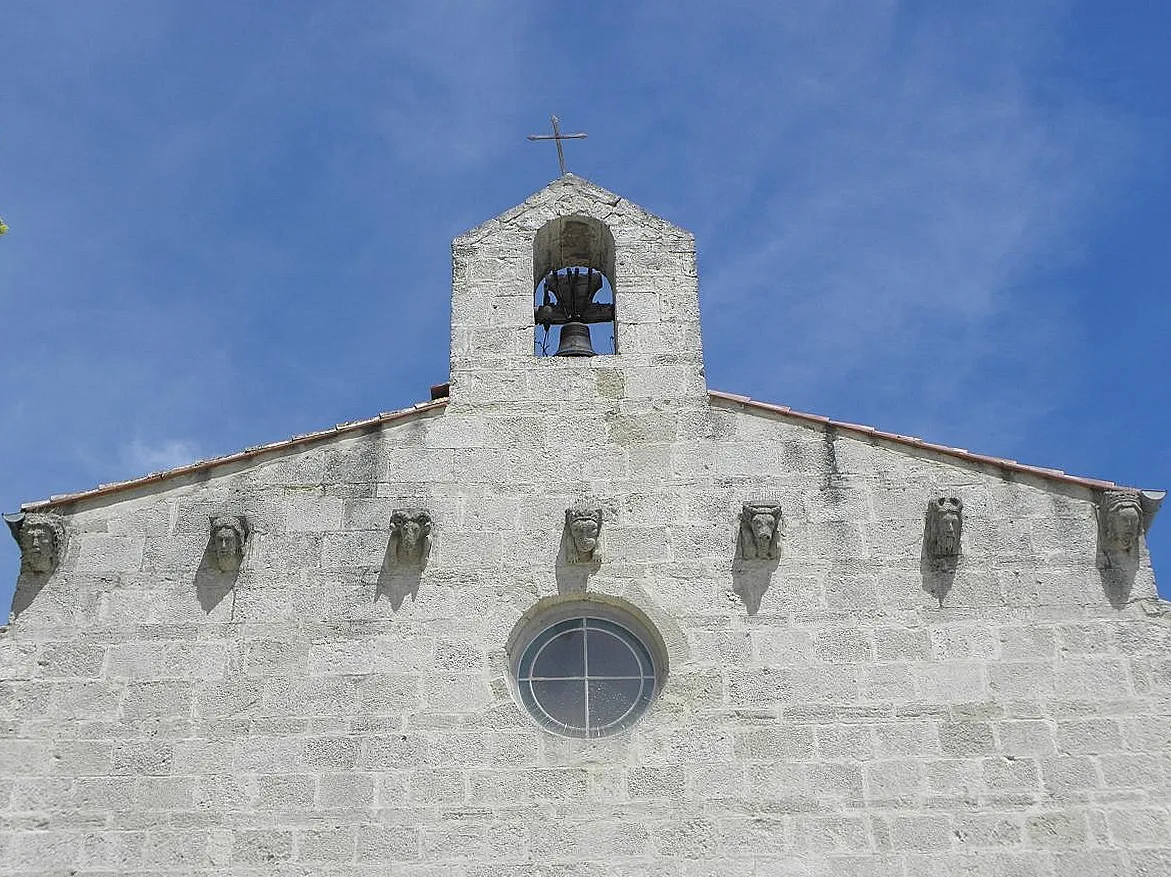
645 326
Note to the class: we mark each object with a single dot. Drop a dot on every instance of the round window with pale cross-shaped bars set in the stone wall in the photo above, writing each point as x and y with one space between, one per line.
586 676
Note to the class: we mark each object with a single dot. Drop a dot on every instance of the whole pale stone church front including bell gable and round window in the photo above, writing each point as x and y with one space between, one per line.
580 616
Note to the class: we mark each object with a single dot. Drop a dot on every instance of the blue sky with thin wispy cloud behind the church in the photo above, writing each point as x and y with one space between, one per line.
231 223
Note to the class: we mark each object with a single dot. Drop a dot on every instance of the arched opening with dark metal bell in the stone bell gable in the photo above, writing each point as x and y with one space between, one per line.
573 279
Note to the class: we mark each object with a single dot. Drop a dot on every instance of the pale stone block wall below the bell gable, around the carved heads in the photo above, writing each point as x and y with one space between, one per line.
318 720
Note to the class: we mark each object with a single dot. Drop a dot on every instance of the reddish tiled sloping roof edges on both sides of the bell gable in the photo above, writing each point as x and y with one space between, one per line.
747 403
